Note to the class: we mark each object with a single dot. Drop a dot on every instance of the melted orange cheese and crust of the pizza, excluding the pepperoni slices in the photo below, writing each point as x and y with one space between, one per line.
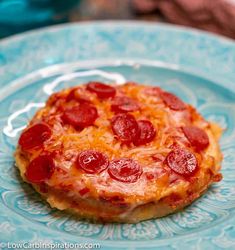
159 191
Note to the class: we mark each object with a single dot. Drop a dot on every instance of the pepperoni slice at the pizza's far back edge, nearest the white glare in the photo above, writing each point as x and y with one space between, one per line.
102 90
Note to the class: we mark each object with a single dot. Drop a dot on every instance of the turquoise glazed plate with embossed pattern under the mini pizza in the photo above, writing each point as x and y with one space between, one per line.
198 67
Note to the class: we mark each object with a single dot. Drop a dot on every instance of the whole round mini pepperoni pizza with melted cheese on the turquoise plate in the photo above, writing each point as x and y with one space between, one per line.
119 153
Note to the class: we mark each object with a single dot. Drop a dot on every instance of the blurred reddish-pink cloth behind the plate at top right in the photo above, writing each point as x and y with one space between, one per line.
213 15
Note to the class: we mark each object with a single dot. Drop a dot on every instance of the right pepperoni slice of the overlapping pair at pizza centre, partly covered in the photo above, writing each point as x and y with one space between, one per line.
147 132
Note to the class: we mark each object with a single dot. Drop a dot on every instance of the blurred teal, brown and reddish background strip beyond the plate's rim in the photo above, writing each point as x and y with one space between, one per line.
216 16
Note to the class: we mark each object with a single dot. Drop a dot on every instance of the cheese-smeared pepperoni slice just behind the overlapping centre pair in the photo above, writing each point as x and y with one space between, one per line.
124 104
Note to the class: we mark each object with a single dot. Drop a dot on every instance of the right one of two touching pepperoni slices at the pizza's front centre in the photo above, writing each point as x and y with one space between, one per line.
125 170
